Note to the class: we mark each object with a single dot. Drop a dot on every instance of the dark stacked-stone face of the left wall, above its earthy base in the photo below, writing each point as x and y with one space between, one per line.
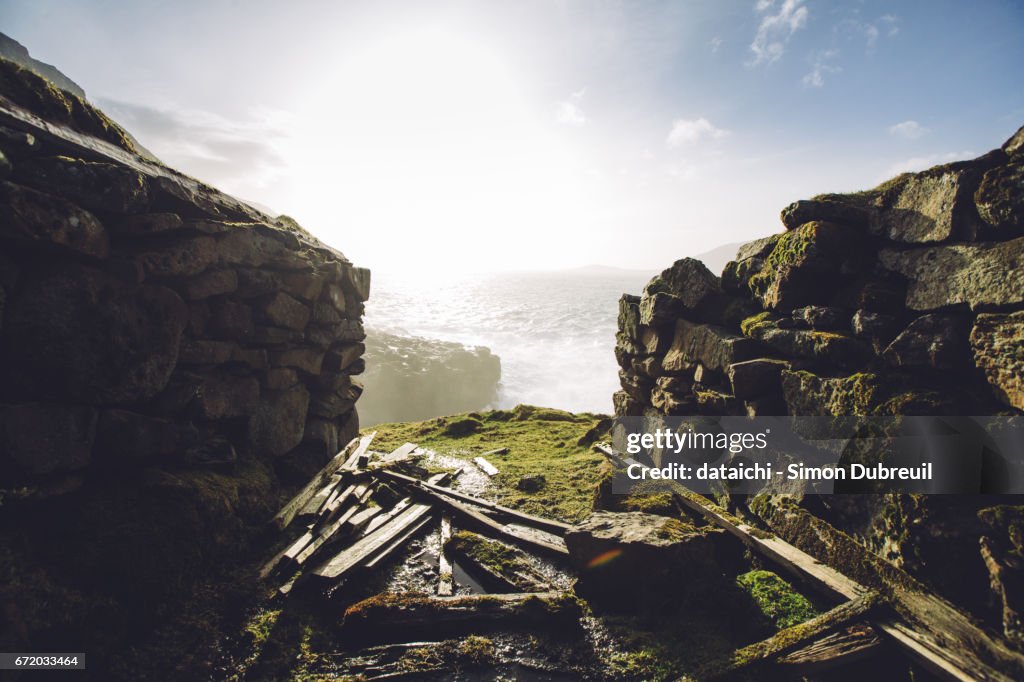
147 320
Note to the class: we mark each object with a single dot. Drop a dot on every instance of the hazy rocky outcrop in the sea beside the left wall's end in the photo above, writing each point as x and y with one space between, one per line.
413 379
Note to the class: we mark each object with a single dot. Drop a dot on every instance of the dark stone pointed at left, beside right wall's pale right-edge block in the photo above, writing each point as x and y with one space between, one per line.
934 340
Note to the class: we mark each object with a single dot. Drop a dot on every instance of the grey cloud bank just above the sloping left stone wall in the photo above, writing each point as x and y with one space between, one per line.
239 156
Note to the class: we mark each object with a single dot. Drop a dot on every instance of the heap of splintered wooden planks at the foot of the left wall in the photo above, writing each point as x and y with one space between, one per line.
353 527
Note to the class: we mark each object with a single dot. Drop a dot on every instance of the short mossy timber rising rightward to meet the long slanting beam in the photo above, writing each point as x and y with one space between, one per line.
796 637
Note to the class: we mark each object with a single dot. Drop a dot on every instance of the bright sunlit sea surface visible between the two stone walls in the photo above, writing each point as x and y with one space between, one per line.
554 332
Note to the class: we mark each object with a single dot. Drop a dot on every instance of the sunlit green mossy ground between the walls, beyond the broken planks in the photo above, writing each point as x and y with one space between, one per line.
537 446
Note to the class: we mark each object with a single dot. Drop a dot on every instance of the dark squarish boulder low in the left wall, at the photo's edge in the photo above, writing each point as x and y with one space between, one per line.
42 439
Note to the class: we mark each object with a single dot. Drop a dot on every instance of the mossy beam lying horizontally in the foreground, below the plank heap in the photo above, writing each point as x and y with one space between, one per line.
411 615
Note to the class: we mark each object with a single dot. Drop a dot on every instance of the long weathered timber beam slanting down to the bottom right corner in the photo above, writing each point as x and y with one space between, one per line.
932 631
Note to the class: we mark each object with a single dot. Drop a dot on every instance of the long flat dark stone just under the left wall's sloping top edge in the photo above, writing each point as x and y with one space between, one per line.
95 186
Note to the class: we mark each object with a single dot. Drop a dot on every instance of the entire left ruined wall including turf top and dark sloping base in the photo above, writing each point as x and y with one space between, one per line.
169 357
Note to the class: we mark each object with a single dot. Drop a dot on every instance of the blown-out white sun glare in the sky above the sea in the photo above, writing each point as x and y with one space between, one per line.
428 142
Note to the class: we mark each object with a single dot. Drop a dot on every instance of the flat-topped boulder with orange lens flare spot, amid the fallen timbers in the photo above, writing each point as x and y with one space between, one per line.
638 560
